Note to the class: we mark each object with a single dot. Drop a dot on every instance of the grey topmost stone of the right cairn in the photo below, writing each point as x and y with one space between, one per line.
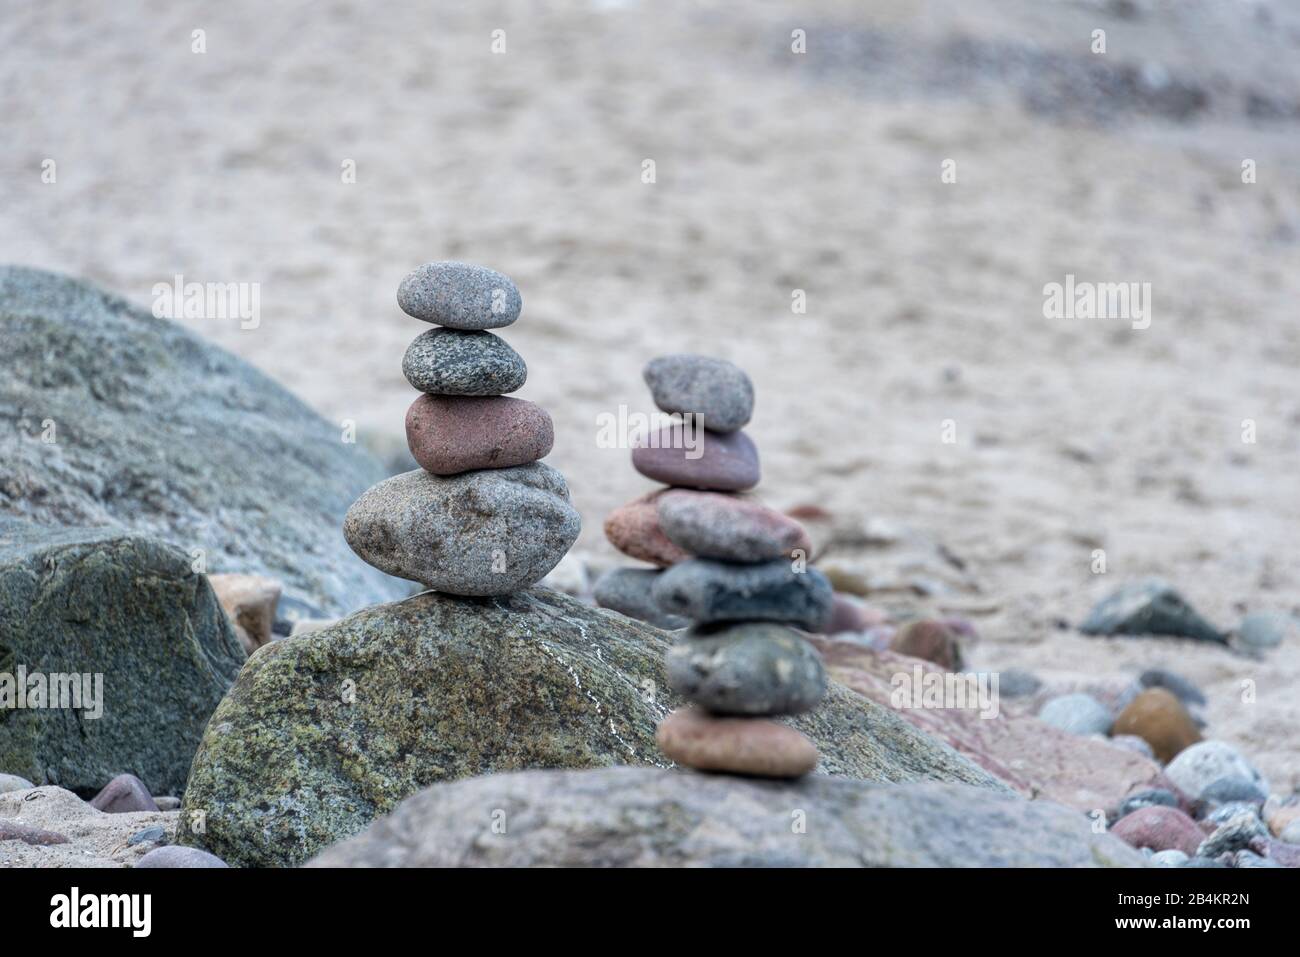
716 389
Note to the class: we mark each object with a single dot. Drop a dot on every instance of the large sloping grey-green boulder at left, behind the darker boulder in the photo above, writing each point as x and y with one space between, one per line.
110 417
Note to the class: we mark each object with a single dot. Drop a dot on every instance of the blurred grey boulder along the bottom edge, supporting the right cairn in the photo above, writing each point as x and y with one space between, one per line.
634 817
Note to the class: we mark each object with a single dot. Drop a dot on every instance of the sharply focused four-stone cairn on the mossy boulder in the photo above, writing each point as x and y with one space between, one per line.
482 516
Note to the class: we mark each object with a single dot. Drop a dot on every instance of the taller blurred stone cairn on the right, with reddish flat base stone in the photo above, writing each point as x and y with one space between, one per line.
729 565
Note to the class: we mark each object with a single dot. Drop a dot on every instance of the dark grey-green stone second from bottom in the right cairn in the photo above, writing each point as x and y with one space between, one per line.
753 669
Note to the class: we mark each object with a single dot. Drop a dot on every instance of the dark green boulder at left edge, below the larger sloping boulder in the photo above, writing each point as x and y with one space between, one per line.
120 626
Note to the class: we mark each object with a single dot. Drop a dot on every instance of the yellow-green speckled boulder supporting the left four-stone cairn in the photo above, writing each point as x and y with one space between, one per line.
326 733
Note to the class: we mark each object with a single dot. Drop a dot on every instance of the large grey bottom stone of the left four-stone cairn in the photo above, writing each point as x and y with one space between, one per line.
479 534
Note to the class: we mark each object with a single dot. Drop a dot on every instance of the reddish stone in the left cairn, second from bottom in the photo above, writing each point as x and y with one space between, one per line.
457 434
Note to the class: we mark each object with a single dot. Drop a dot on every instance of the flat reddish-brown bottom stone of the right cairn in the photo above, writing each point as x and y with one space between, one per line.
735 746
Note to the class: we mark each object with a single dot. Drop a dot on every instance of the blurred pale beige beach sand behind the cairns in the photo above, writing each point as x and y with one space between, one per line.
775 172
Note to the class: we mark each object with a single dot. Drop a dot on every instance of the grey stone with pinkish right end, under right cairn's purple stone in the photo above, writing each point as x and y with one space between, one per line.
730 529
